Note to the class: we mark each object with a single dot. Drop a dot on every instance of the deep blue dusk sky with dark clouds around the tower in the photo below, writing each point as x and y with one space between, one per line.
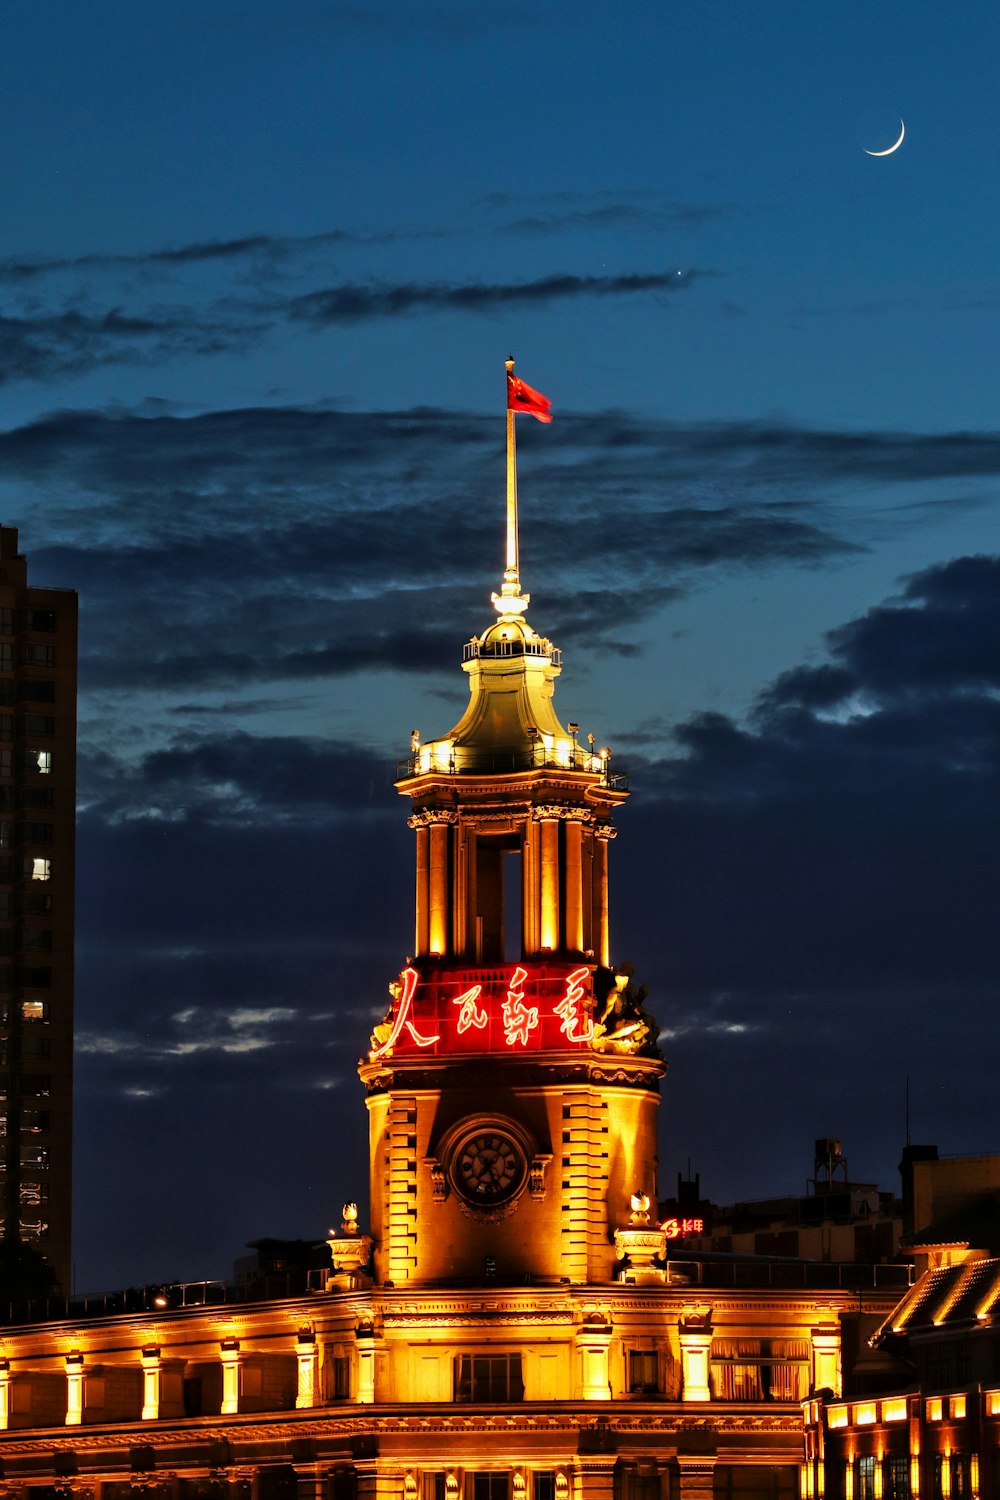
260 268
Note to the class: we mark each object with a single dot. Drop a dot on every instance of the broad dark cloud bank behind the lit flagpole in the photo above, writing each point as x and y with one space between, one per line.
337 508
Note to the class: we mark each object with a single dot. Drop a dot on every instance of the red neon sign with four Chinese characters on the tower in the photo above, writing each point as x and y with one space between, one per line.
510 1009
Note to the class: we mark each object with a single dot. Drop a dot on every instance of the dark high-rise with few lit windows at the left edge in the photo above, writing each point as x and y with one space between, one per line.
38 796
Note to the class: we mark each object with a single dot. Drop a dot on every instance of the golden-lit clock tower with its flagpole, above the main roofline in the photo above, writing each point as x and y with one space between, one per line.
513 1085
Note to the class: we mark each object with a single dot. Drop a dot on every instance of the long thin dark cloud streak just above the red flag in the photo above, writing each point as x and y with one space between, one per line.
364 302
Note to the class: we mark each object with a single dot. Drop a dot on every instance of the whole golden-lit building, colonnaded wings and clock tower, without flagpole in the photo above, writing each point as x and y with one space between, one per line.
509 1327
